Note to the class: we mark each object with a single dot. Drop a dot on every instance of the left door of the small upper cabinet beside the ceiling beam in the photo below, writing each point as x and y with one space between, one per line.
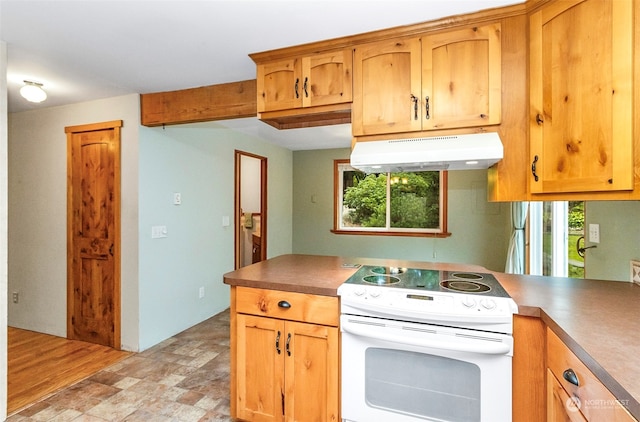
279 85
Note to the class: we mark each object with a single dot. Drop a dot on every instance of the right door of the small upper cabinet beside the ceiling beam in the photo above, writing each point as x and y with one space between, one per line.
327 78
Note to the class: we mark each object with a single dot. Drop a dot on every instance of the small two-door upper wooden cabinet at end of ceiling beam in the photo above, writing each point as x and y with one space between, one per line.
306 81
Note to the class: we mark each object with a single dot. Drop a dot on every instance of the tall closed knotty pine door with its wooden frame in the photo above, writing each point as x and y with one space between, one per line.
93 238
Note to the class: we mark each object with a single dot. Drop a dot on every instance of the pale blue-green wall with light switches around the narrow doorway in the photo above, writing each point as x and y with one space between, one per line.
197 161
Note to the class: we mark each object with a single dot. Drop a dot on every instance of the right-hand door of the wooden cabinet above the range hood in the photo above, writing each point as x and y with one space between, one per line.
461 78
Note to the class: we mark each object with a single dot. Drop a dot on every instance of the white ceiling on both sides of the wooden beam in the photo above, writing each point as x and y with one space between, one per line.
92 49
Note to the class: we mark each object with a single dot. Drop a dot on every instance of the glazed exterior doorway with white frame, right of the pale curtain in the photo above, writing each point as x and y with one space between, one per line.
556 233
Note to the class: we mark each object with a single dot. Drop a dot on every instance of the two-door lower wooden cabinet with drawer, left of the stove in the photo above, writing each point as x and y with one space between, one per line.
284 370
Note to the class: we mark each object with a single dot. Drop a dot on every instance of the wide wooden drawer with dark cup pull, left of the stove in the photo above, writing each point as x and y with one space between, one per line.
315 309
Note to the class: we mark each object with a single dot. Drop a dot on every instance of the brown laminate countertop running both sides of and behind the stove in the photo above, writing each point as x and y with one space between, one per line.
598 320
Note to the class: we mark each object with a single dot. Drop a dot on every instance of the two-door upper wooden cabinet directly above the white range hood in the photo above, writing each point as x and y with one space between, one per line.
445 80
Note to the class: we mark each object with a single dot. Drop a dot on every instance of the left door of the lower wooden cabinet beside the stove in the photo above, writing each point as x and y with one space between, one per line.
260 368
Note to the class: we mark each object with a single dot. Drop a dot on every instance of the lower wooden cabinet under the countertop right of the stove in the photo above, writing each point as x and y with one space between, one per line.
573 391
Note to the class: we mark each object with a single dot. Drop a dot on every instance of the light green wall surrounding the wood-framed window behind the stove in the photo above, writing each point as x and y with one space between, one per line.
480 230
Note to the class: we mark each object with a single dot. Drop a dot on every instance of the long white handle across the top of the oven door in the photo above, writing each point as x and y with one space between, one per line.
471 346
